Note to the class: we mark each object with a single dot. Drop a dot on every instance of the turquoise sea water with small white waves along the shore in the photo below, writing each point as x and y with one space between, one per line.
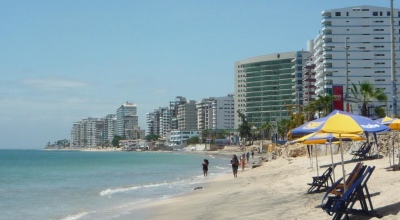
67 185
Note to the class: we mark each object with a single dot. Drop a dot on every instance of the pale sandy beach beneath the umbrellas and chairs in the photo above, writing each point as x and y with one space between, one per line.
277 190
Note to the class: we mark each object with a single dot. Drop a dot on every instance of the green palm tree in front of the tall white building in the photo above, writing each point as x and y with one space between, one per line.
367 93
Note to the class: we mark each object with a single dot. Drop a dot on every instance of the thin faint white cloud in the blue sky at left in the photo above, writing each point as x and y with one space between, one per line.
53 83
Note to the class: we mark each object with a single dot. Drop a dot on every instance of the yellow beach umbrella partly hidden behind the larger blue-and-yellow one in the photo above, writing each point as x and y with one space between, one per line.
322 138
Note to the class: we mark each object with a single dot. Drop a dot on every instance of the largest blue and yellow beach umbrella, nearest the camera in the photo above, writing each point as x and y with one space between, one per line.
341 122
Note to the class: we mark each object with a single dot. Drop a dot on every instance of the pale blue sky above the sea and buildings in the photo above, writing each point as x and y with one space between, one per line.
62 61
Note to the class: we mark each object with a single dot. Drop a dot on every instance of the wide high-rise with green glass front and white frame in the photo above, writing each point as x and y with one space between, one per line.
264 85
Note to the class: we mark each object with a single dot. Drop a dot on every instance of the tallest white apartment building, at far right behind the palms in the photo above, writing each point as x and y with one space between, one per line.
367 29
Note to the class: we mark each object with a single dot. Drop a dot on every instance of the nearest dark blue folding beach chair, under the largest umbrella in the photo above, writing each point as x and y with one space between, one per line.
338 205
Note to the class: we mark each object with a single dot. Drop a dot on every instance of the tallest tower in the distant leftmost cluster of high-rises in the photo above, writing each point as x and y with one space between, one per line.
127 109
